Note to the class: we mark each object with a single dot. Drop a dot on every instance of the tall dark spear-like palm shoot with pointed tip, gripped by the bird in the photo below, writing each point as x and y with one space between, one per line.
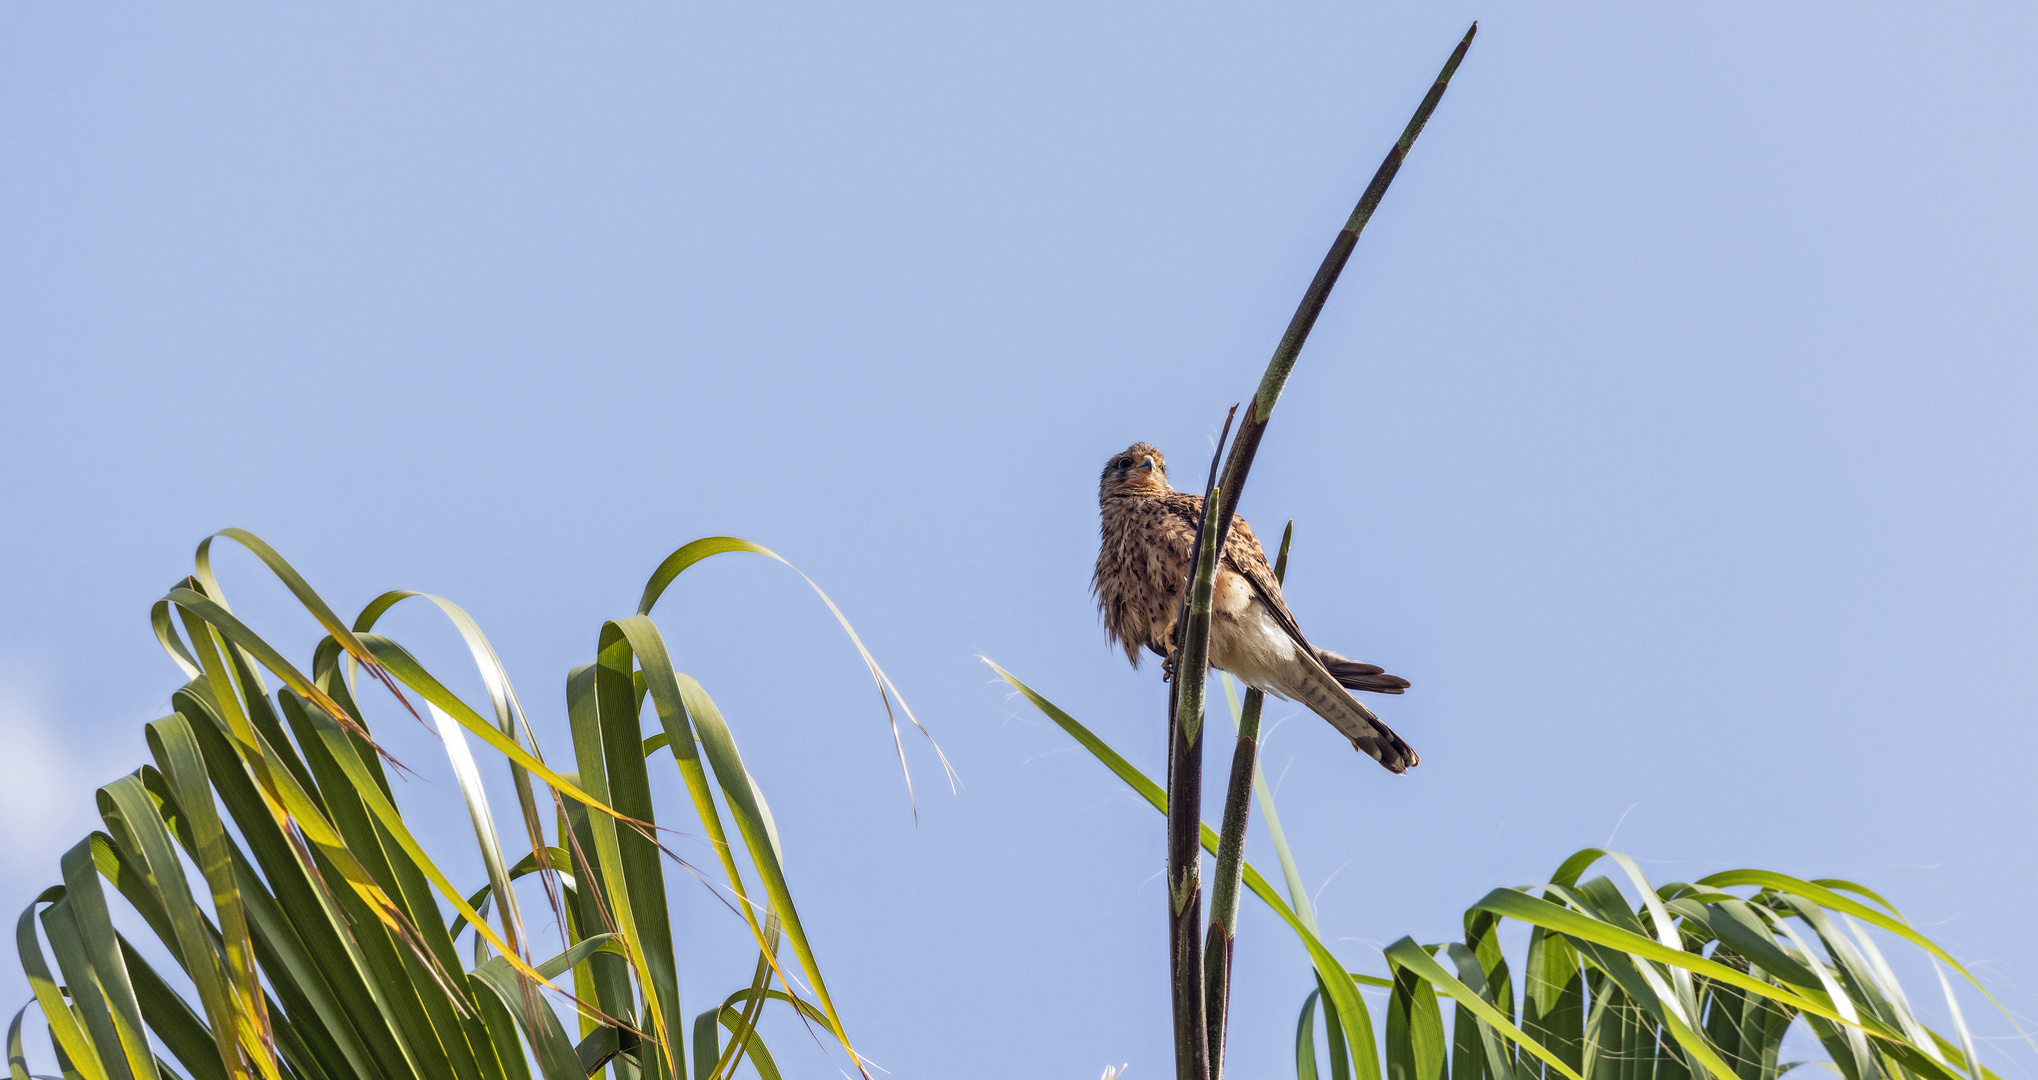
1226 496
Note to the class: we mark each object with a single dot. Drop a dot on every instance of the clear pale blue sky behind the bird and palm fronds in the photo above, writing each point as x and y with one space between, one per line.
1672 431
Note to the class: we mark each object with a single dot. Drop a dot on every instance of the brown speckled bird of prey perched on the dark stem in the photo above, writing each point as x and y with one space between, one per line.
1148 545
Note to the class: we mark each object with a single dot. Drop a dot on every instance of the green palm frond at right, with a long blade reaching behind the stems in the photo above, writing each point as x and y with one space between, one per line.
1684 981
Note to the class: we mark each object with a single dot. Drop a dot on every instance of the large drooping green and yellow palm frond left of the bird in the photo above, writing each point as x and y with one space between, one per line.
319 944
